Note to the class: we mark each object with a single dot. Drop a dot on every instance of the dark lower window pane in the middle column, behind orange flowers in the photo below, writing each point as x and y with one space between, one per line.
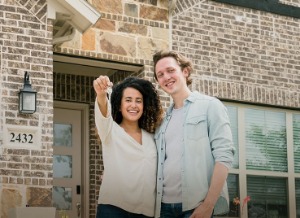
268 197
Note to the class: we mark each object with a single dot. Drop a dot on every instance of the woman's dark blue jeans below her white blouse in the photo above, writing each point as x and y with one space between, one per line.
110 211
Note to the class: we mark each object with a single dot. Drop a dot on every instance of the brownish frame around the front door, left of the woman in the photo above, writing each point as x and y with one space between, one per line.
85 151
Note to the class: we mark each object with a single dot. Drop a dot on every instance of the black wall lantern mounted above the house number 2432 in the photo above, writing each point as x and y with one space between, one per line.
27 97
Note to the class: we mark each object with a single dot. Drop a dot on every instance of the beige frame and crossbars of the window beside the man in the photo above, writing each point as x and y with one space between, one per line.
242 172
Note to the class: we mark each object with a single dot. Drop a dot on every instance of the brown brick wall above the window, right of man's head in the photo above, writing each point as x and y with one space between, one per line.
238 53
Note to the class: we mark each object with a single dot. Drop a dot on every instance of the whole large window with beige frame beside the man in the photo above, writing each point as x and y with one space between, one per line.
266 166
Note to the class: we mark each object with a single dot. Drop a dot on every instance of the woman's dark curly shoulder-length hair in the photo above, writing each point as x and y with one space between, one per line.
152 112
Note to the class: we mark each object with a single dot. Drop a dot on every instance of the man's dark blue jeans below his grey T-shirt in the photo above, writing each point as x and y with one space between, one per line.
174 211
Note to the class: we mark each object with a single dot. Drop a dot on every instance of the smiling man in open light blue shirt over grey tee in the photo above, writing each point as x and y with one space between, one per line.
194 143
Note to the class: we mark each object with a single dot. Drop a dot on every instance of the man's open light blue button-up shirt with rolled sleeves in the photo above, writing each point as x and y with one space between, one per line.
207 139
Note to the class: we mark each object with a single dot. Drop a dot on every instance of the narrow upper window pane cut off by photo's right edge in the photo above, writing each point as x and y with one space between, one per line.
296 137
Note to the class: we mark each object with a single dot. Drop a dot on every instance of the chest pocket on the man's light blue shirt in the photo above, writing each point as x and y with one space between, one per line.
196 127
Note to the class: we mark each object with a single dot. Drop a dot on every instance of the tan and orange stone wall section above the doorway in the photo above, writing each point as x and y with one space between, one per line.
128 32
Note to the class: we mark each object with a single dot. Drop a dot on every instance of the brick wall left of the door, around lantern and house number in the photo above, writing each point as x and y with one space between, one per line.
25 45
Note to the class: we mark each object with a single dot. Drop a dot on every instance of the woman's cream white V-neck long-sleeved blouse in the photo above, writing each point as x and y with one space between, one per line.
129 177
